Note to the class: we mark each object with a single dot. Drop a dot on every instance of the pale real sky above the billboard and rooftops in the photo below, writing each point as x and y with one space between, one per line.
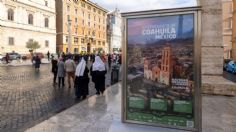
138 5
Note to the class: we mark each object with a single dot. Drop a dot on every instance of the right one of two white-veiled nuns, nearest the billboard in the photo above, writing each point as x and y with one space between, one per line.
98 72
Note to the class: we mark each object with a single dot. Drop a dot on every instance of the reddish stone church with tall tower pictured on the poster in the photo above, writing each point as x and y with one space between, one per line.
166 68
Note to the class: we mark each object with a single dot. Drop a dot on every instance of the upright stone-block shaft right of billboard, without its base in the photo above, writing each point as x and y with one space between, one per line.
212 41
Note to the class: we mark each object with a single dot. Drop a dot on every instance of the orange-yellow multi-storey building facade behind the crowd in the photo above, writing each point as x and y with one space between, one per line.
81 27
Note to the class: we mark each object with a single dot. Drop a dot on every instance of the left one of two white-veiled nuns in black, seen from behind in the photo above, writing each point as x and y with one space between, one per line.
81 80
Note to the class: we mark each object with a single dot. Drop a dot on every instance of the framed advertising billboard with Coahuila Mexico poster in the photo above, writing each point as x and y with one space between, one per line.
162 85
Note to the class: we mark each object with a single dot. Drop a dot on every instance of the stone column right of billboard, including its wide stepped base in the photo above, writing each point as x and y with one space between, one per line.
212 50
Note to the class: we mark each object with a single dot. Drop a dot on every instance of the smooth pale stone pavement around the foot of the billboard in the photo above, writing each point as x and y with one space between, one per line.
103 114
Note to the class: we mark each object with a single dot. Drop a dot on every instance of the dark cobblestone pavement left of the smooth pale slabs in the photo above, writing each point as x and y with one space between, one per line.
28 97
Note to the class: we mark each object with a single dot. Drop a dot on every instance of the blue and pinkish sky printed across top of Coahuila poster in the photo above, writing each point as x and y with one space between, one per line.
136 26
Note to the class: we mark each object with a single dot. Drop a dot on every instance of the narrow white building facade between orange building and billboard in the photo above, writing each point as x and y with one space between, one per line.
114 36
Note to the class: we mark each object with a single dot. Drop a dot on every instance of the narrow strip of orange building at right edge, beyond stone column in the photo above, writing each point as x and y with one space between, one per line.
227 27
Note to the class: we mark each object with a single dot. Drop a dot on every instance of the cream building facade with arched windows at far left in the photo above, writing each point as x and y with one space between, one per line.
25 20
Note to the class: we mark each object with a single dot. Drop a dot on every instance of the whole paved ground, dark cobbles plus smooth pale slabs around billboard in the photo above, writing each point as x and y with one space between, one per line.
29 99
